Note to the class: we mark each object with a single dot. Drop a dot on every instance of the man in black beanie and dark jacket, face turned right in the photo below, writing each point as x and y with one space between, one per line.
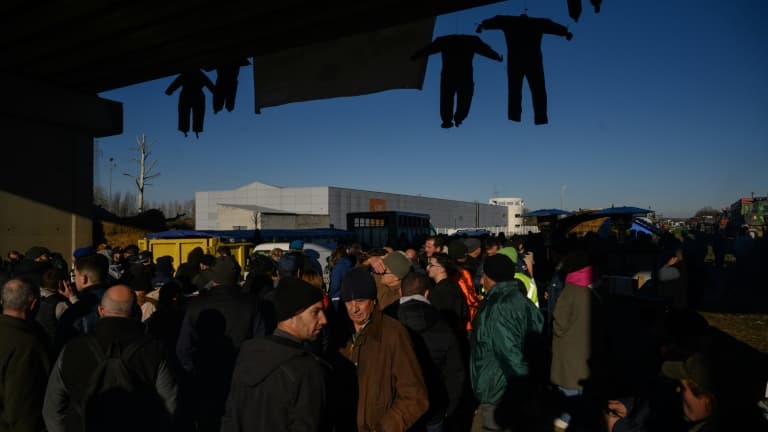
278 385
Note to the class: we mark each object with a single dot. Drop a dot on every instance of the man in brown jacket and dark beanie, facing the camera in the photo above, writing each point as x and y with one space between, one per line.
392 394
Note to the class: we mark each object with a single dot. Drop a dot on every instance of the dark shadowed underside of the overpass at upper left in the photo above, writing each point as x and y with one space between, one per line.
97 45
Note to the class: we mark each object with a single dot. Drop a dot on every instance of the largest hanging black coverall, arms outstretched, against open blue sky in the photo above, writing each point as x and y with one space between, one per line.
523 35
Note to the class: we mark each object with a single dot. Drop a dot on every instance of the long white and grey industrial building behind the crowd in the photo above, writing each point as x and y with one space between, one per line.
263 206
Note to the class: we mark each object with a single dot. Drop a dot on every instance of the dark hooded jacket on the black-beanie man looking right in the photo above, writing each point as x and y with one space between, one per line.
277 386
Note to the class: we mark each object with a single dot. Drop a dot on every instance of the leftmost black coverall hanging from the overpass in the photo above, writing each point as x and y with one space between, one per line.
191 98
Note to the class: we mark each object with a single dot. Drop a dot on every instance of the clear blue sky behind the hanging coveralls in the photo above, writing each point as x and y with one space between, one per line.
651 104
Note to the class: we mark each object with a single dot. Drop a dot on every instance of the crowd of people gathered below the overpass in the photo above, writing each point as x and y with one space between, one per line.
452 334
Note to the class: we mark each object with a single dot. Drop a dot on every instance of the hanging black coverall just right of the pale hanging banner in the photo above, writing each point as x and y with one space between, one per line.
456 77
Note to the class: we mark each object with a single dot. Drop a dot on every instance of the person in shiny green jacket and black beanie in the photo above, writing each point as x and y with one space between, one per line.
506 327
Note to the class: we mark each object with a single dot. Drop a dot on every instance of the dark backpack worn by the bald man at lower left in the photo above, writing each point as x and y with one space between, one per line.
113 389
